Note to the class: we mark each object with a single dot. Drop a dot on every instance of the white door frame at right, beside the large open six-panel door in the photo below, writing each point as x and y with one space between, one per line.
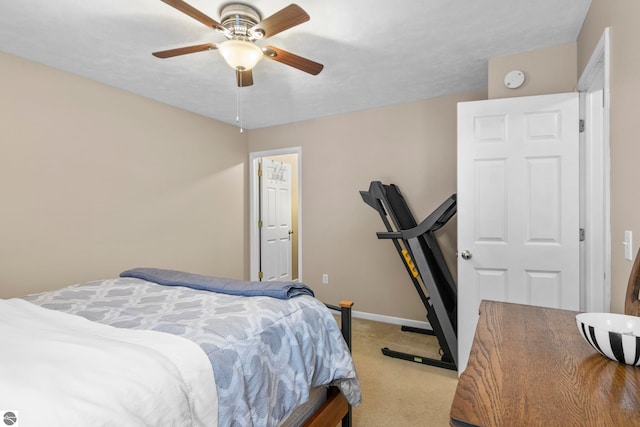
595 178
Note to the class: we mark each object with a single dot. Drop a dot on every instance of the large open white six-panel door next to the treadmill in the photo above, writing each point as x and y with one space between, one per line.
518 206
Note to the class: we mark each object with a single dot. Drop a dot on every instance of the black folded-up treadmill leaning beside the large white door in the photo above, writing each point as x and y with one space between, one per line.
418 248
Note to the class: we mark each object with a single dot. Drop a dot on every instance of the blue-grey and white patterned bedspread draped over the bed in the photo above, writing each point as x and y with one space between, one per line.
264 364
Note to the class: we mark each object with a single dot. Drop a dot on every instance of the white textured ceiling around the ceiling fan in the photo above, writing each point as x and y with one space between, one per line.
375 52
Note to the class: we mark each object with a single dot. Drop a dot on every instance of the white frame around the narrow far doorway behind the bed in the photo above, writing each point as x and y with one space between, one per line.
254 208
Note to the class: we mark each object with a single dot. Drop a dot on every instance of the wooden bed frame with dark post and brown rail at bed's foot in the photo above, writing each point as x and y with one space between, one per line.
336 407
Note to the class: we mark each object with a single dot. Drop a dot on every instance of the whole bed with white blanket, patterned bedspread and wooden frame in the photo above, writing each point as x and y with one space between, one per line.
234 353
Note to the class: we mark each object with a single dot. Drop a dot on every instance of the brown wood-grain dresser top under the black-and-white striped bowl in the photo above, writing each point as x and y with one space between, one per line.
529 366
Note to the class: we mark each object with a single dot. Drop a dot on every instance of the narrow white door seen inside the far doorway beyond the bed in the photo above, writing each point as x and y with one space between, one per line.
275 215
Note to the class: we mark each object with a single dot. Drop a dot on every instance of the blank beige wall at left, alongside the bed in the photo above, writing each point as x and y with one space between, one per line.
95 180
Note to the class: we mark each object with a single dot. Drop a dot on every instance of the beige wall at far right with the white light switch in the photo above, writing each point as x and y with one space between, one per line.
622 16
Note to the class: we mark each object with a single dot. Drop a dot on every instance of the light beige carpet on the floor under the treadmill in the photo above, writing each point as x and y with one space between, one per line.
397 392
